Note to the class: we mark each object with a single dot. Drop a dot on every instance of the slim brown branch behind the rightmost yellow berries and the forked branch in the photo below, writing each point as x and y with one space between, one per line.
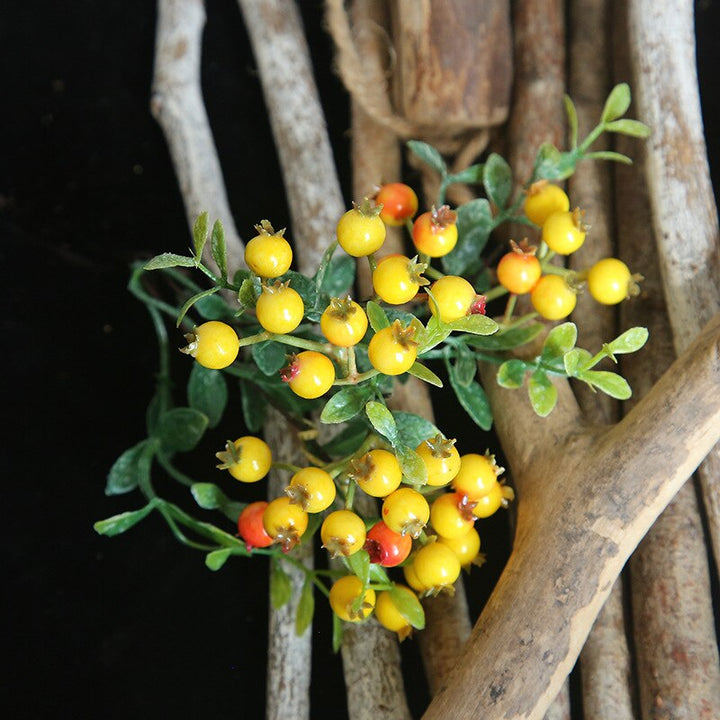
605 659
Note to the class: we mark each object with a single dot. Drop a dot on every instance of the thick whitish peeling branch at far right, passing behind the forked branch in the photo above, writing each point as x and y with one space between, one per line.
662 43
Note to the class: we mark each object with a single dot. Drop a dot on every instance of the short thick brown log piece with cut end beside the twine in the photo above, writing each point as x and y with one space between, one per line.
454 63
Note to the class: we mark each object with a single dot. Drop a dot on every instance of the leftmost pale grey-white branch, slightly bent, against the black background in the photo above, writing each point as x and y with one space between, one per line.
178 107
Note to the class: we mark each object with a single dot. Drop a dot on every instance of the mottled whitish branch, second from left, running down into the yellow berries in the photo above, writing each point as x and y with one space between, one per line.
298 123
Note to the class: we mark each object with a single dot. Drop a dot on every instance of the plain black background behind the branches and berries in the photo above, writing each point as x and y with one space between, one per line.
134 625
